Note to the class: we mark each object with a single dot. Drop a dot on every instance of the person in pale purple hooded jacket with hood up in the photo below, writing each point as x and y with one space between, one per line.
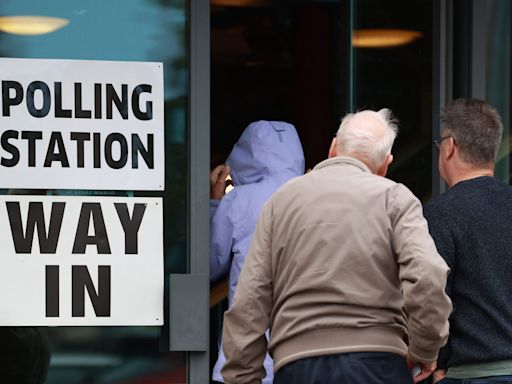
267 155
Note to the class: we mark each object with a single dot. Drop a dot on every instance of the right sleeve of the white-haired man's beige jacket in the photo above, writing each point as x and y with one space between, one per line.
423 274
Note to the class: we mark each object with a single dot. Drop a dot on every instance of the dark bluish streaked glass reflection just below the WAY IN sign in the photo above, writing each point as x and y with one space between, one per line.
121 355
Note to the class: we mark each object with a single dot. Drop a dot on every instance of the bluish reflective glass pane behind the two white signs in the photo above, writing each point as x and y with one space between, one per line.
136 30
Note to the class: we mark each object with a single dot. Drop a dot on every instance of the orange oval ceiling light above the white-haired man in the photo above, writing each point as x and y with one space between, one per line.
383 38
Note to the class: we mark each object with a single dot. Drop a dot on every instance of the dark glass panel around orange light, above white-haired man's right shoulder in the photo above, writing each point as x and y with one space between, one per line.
400 78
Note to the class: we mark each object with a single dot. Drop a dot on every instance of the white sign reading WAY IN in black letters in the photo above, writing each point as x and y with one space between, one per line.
69 260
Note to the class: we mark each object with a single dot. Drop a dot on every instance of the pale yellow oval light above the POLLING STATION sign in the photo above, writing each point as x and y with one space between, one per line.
31 25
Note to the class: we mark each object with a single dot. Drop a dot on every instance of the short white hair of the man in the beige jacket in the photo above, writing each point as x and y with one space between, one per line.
368 136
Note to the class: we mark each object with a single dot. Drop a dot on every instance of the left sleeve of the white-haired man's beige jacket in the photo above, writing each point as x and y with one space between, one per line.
243 338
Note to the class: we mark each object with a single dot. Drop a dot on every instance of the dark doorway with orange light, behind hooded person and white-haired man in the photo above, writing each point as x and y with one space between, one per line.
311 62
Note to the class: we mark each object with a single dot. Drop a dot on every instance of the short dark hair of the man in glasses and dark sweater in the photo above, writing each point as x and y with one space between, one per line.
476 127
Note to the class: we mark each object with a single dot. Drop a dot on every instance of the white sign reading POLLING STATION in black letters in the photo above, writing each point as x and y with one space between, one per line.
77 124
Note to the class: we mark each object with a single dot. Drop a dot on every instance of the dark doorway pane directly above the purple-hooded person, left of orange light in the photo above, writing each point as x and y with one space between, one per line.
279 60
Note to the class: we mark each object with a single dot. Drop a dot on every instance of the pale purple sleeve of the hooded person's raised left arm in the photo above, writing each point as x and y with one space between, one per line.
221 237
